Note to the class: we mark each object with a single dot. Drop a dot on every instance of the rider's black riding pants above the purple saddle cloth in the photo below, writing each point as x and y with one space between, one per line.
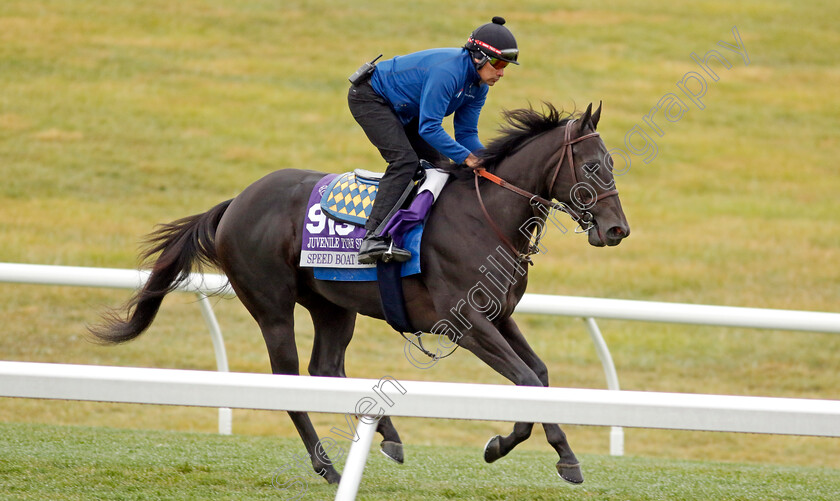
400 146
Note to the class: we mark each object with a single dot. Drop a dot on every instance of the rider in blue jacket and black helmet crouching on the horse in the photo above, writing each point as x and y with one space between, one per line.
400 103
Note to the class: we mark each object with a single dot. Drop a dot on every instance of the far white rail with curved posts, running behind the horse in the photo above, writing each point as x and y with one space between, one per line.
586 308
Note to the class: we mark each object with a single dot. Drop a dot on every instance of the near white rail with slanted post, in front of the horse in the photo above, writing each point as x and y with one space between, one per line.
677 411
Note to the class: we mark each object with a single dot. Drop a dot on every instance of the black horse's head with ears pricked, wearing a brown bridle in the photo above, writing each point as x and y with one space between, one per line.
583 182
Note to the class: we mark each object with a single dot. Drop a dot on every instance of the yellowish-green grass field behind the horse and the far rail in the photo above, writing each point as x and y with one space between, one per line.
120 115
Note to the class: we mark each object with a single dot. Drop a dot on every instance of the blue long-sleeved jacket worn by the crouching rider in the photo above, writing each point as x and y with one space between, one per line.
433 84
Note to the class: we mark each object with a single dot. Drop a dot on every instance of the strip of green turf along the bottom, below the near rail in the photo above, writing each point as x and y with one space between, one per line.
51 462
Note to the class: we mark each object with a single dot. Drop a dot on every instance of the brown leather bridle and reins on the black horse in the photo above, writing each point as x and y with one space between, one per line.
581 215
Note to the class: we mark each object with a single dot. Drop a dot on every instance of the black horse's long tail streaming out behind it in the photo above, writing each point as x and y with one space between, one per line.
183 245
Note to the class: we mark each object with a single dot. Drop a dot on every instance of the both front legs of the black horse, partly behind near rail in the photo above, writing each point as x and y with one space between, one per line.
505 350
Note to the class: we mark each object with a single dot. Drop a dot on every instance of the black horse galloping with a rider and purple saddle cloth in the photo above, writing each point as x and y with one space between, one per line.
255 239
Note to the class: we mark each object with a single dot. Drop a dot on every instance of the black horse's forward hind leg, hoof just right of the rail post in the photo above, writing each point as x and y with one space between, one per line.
333 331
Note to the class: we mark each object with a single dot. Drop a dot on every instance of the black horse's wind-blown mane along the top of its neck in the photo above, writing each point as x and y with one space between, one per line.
521 126
